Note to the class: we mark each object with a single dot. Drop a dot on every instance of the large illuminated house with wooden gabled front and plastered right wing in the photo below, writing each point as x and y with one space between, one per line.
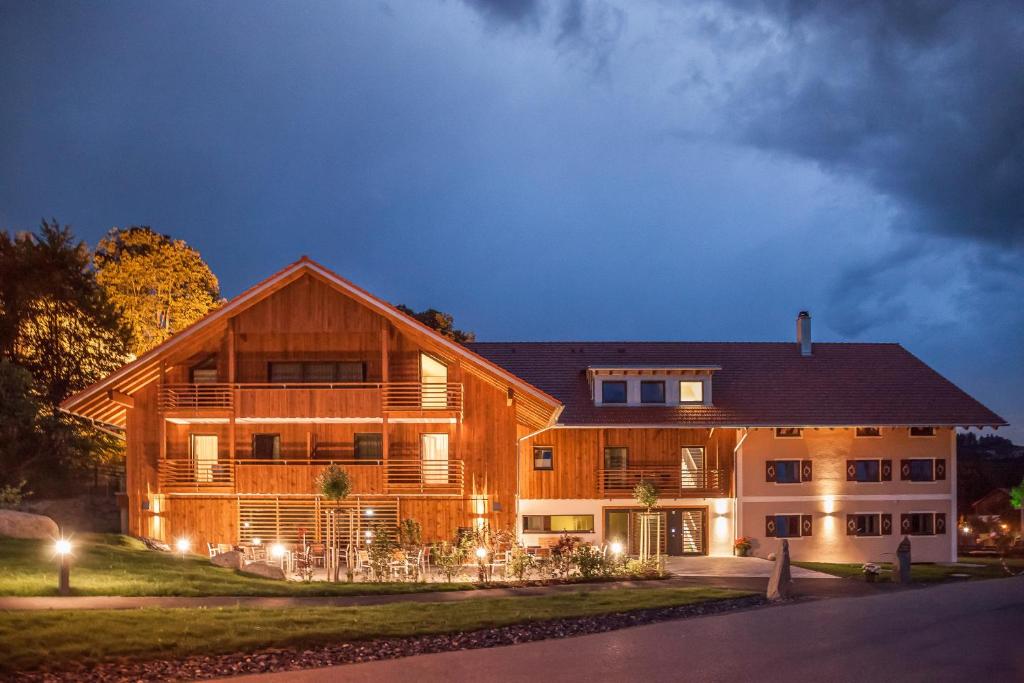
841 448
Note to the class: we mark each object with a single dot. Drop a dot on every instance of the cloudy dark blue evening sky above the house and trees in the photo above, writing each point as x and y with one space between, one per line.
559 170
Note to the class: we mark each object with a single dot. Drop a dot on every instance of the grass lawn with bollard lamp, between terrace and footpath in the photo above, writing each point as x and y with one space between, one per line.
111 565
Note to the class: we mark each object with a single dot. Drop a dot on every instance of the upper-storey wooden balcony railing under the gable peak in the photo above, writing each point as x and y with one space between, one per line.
309 400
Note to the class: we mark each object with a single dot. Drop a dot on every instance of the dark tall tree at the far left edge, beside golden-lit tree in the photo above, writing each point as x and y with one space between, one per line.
59 333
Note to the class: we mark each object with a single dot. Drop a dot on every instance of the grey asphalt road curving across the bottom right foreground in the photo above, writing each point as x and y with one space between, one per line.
960 632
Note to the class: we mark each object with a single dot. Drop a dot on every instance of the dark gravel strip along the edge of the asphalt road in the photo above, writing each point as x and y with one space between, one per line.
280 660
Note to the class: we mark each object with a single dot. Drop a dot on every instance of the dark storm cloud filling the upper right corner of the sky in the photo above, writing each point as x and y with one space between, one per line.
922 101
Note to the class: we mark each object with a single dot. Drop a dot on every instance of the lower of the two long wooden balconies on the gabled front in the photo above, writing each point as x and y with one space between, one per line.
408 478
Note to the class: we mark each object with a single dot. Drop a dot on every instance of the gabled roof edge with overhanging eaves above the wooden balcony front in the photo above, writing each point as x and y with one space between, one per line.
96 403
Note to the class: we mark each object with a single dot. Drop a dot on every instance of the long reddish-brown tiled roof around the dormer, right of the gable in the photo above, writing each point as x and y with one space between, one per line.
759 385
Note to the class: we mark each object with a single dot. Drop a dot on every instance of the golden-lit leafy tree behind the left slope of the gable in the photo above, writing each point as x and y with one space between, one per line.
161 285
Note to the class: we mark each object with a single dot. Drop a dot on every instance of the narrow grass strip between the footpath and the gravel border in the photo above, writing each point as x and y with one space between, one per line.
33 639
